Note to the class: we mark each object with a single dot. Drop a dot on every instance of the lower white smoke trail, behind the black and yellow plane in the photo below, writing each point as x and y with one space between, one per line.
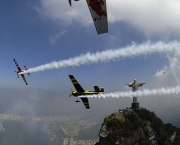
145 92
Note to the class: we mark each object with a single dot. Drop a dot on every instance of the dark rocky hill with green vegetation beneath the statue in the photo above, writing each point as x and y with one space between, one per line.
140 127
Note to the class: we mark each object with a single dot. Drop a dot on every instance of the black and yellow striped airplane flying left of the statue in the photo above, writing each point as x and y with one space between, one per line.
80 91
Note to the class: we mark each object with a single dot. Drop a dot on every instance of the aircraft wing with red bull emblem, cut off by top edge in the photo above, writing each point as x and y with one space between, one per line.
98 12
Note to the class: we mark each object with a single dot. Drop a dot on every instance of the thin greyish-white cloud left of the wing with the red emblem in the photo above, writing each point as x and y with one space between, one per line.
59 11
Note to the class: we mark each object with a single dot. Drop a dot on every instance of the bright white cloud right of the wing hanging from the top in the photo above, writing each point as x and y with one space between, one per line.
151 16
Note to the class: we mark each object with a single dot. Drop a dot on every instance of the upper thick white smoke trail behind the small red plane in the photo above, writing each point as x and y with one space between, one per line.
112 54
